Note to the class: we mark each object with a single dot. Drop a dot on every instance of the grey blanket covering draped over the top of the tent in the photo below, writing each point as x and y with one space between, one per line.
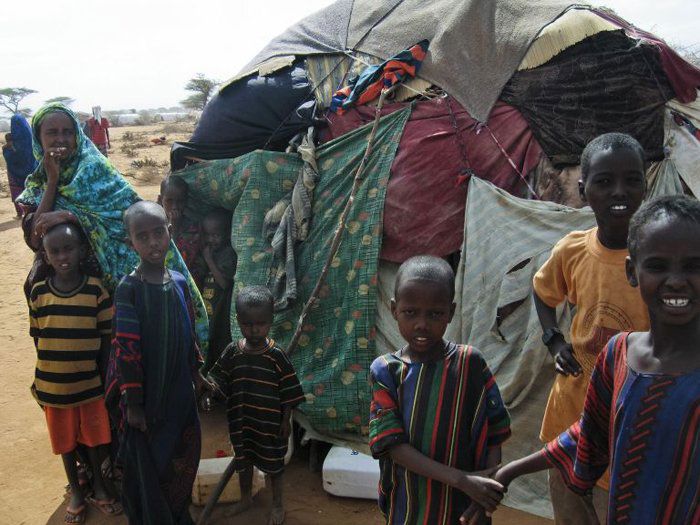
455 30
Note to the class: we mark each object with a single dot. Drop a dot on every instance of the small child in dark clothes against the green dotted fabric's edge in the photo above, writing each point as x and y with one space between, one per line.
217 267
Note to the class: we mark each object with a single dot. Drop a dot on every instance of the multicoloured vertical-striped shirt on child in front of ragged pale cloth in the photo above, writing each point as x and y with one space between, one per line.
451 411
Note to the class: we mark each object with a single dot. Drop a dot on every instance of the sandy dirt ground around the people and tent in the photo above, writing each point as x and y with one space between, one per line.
32 479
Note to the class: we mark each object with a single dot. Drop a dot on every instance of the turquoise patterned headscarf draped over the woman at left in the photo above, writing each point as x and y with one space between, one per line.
93 190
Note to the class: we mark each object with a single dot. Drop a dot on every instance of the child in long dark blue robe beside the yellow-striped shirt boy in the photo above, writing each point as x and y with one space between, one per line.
153 367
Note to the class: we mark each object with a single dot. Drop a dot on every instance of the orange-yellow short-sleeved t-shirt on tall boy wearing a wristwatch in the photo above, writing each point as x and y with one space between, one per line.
592 278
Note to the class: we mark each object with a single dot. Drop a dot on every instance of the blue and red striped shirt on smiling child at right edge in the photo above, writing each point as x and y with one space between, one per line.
646 427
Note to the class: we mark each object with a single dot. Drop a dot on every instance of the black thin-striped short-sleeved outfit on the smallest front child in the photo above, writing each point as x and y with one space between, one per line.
258 387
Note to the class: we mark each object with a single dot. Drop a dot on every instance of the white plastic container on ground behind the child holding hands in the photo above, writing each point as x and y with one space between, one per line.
350 474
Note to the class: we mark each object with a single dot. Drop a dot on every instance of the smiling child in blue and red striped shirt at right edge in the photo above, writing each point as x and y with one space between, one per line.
642 407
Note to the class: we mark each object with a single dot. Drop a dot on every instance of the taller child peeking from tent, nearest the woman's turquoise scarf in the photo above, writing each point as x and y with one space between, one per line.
185 231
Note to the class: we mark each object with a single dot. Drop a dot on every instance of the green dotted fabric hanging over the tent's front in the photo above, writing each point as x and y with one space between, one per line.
338 340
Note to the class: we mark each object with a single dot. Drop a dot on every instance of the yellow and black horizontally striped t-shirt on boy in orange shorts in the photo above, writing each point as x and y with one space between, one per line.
67 328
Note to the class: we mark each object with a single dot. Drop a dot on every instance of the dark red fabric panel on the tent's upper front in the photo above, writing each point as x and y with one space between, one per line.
425 199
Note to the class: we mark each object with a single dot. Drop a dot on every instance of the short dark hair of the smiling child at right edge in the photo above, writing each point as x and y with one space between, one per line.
673 206
